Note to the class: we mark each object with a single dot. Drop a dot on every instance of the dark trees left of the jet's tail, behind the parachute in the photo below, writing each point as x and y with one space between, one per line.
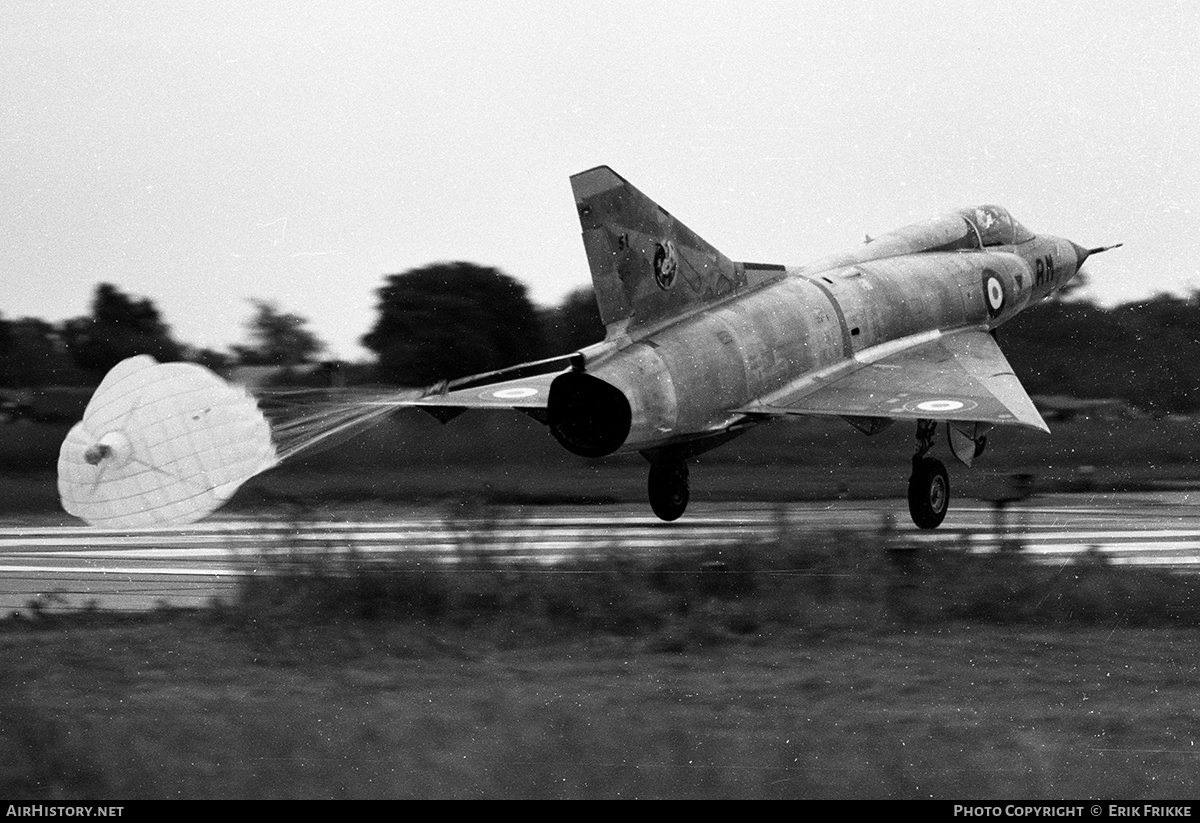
437 322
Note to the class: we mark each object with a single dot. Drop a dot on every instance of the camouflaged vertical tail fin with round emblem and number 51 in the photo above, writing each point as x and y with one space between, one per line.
646 266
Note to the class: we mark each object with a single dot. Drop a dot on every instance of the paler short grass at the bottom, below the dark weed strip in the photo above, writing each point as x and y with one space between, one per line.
189 708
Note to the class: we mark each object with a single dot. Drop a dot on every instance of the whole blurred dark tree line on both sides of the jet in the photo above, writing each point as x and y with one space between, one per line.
451 320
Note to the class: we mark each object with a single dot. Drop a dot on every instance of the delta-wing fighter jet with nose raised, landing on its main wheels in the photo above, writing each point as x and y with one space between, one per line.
700 349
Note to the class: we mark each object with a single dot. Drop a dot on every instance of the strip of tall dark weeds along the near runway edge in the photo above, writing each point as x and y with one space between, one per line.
847 581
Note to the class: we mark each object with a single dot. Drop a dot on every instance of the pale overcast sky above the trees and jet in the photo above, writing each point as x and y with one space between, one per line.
205 154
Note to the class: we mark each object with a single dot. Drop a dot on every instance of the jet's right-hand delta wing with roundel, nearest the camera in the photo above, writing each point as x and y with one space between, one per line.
937 376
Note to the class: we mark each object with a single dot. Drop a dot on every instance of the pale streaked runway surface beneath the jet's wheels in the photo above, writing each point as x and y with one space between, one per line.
59 568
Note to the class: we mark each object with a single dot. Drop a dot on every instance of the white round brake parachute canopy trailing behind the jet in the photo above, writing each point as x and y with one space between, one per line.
161 444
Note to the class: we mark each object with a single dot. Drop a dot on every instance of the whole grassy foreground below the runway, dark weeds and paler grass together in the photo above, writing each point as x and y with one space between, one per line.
811 668
